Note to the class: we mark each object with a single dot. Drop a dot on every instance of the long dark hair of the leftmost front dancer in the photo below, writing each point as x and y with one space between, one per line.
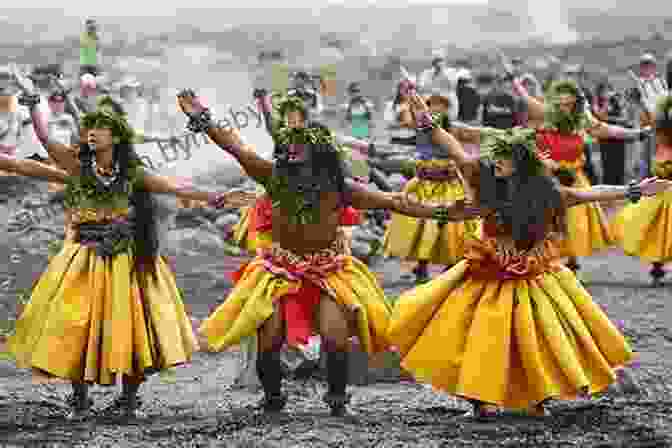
146 234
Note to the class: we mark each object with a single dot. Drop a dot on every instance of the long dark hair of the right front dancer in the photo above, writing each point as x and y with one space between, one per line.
529 202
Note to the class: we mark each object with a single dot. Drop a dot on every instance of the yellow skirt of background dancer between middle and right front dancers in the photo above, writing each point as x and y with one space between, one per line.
422 239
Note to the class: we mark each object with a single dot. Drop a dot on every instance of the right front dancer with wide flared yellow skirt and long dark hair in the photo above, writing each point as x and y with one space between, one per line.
510 326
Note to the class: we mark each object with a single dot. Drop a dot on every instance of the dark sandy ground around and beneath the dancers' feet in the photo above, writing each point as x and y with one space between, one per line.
196 408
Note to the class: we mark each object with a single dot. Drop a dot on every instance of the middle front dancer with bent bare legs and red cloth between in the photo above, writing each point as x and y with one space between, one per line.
306 270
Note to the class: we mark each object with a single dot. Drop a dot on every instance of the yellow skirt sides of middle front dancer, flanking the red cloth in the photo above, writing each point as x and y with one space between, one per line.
252 301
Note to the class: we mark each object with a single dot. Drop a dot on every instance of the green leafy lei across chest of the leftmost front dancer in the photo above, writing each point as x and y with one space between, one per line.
88 192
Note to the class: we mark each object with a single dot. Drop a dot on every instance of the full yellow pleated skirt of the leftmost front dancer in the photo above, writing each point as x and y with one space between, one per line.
88 319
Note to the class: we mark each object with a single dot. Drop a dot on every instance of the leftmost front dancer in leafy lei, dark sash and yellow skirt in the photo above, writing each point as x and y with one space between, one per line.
107 305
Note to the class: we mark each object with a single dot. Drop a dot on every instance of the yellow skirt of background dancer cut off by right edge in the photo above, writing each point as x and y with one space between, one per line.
649 228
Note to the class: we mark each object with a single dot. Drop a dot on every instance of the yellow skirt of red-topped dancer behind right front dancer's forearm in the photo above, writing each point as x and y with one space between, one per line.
587 226
